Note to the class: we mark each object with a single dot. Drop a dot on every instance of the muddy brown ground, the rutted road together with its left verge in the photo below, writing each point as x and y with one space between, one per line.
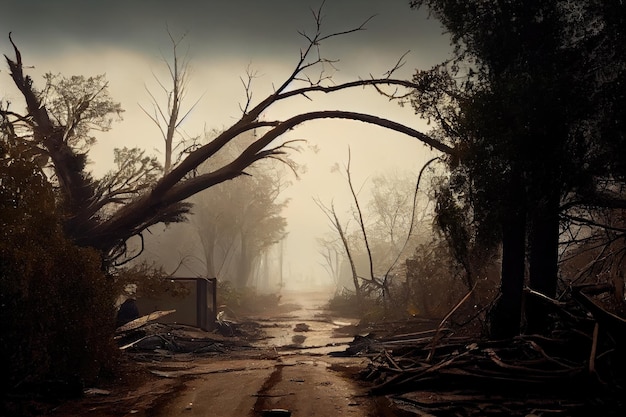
289 367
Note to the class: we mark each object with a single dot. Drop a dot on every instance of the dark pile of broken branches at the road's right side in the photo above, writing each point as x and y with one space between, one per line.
579 369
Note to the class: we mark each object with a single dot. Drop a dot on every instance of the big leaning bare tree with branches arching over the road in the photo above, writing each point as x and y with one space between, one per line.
104 218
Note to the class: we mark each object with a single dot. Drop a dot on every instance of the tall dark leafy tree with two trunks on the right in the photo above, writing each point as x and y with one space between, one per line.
528 100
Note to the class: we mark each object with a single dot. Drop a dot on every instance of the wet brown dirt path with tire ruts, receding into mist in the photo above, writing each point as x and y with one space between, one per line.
299 378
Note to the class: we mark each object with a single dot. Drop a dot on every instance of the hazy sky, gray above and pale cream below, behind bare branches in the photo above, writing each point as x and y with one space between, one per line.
127 39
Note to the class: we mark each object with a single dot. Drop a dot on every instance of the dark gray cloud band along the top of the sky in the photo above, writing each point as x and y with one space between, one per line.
239 26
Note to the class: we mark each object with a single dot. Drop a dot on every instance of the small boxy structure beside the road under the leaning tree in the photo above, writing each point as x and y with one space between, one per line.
197 308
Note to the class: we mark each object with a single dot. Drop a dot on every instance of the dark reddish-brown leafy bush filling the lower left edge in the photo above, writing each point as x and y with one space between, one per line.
55 302
